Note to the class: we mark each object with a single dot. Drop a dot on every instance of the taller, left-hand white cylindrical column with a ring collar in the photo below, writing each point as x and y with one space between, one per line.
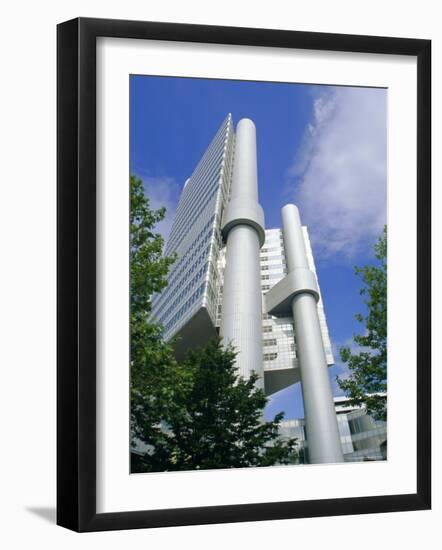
243 230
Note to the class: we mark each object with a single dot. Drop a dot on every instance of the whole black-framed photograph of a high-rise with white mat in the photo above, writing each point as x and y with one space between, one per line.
234 341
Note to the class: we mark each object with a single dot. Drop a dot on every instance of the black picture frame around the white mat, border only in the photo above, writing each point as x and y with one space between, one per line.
76 272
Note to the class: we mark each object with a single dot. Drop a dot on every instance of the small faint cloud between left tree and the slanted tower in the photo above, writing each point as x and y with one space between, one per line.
162 191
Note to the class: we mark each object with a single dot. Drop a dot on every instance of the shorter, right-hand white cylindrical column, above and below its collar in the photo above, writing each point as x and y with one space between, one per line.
324 444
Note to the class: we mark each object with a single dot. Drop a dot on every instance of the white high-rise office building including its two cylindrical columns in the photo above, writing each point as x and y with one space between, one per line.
257 289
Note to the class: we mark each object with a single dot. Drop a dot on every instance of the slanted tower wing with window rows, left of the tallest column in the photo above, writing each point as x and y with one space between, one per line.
187 306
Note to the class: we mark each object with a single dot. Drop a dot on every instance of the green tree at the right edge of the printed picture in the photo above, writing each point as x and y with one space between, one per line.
368 365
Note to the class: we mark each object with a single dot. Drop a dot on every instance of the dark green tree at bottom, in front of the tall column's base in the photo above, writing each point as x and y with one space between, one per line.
223 424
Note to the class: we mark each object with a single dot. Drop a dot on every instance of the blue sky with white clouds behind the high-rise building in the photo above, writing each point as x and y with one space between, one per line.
321 147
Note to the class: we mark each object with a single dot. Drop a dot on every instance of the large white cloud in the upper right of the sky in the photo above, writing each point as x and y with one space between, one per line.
339 174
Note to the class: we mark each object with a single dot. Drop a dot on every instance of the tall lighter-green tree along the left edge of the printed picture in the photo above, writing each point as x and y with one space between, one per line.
154 371
